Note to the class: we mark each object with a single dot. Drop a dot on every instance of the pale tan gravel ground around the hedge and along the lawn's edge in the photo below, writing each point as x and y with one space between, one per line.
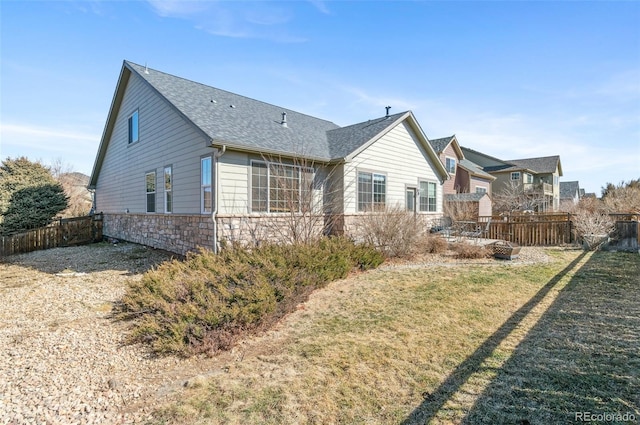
62 357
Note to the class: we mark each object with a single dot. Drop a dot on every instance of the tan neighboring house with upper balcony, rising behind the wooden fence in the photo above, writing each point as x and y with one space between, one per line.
537 178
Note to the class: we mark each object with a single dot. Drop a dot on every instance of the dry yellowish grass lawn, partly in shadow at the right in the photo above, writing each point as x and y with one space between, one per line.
440 344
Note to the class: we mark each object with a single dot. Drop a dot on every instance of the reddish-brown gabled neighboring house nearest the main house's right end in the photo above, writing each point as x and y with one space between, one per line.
465 177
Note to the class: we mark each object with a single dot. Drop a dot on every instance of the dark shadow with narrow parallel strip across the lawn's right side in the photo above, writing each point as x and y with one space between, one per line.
581 358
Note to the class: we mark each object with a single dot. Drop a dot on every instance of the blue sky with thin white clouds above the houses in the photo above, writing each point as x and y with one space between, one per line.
513 79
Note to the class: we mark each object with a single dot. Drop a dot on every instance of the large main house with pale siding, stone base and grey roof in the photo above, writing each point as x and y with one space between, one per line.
181 165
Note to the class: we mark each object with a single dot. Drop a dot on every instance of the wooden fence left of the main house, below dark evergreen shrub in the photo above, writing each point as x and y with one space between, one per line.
62 232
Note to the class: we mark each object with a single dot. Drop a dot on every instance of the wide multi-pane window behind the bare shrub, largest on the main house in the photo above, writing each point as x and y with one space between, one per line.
279 187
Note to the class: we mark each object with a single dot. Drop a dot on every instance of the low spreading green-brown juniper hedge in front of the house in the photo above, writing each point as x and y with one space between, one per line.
206 302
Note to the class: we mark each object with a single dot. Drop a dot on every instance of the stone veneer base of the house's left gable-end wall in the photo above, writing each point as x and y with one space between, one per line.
171 232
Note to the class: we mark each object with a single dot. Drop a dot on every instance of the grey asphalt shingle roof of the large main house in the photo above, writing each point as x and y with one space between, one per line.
244 123
